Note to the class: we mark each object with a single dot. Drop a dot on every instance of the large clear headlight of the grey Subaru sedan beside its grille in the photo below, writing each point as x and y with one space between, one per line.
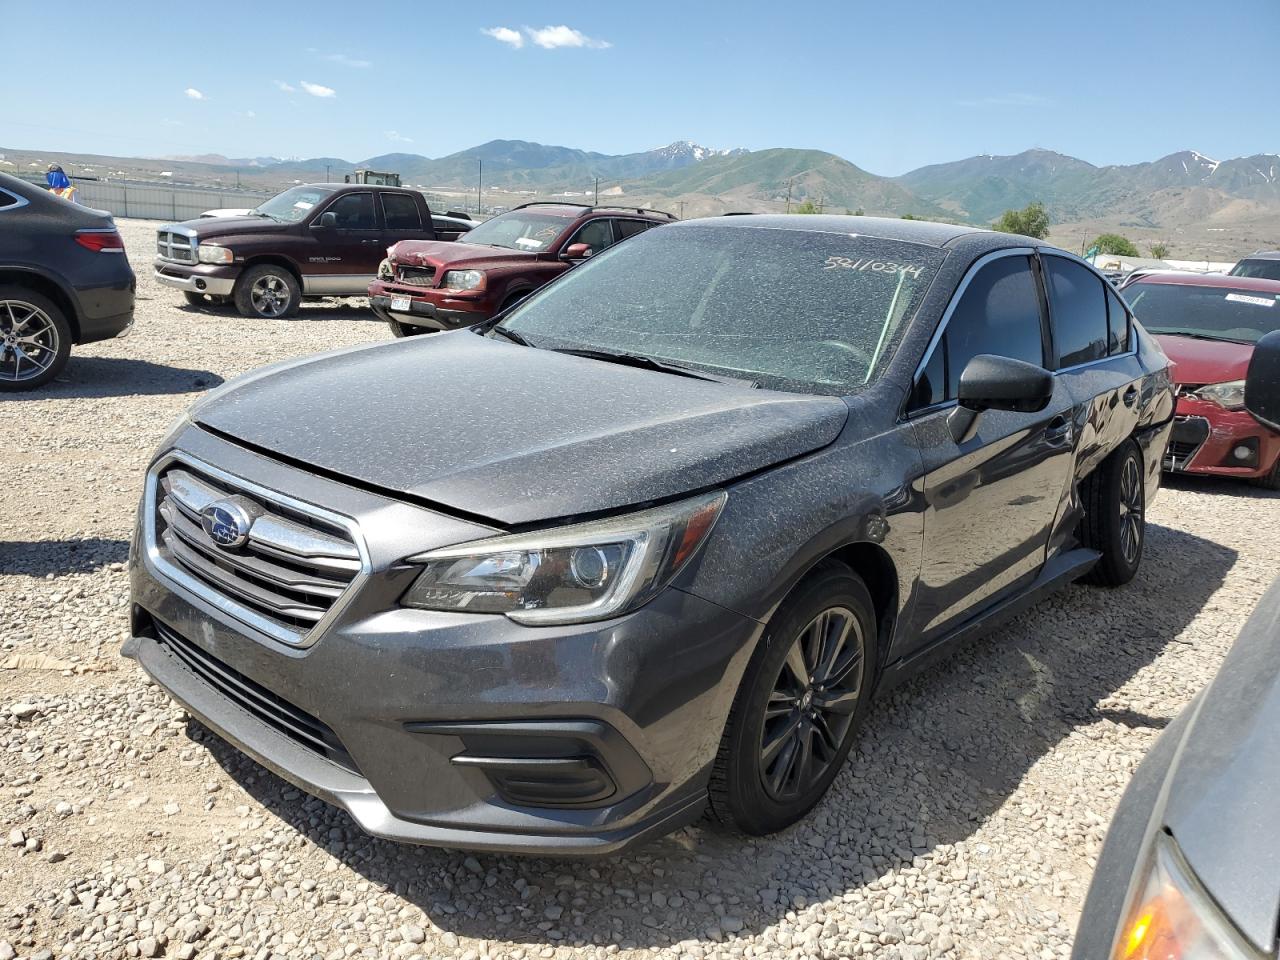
573 575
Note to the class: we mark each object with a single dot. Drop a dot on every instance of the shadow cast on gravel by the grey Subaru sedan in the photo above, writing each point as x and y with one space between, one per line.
935 760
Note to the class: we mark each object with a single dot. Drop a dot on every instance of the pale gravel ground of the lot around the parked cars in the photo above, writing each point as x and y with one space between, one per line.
966 824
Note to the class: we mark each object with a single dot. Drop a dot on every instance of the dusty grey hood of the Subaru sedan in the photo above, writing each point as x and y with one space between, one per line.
516 435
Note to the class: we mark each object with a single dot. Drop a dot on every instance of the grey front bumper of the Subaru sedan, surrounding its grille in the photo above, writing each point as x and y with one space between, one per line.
440 721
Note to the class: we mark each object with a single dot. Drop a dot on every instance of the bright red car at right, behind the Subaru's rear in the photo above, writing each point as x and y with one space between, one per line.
1209 324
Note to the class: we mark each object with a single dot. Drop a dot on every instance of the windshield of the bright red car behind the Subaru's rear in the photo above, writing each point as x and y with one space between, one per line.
1219 313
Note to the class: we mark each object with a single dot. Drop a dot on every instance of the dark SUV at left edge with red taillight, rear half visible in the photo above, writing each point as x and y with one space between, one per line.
63 280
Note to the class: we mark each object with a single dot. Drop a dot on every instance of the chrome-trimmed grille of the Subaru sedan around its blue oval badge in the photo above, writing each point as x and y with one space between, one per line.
290 573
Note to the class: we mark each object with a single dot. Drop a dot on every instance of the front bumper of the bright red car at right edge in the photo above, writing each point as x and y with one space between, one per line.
1209 440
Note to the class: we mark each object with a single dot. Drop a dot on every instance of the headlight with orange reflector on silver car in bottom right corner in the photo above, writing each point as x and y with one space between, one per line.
1173 918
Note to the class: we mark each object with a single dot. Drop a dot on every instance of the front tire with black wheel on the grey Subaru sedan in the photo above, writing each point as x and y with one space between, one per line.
758 781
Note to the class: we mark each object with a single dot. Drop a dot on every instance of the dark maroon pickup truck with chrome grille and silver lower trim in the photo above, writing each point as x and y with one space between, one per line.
317 240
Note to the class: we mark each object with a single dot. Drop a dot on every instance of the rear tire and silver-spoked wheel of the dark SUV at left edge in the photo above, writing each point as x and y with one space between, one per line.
35 340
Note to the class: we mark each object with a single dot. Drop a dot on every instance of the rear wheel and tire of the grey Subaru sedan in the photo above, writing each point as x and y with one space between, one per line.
1116 516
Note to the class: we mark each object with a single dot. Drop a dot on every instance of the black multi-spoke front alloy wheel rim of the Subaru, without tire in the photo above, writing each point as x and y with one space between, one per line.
812 705
